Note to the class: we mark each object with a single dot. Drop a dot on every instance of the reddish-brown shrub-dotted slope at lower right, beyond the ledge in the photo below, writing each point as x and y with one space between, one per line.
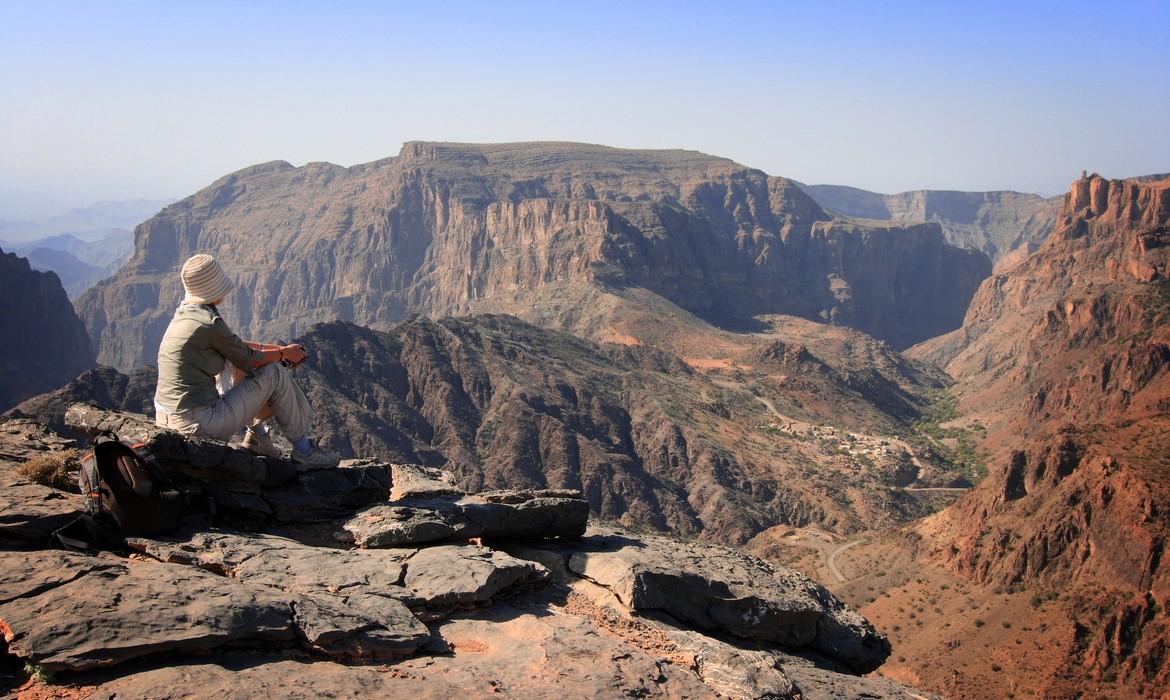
949 636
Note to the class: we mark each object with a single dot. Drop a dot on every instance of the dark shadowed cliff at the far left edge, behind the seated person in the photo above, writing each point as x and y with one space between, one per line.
45 342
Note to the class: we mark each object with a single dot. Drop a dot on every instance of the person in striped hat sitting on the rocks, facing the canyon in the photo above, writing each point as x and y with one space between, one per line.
197 347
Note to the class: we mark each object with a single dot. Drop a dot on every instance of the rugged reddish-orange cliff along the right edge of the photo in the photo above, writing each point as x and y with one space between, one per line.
1068 358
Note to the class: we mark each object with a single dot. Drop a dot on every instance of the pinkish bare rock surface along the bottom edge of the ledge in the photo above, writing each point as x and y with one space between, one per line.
499 653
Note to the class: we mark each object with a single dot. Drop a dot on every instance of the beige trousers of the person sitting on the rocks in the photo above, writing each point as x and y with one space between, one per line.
270 386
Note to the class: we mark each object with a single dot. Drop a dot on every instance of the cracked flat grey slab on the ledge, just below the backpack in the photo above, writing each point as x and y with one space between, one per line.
376 582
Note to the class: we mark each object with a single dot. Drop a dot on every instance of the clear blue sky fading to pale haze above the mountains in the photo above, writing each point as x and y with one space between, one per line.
150 100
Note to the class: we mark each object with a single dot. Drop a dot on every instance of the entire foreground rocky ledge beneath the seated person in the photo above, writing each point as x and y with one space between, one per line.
449 593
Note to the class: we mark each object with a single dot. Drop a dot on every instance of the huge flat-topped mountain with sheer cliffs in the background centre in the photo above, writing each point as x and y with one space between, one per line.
450 229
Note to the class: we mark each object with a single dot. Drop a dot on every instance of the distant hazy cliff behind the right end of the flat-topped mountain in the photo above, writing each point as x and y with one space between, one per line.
1003 224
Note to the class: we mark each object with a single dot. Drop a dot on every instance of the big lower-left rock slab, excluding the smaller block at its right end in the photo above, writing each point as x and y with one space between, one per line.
99 612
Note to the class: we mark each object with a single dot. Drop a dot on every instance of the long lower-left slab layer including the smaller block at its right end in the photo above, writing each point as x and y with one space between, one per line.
73 613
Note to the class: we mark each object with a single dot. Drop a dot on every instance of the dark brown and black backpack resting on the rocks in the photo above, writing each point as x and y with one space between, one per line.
128 485
